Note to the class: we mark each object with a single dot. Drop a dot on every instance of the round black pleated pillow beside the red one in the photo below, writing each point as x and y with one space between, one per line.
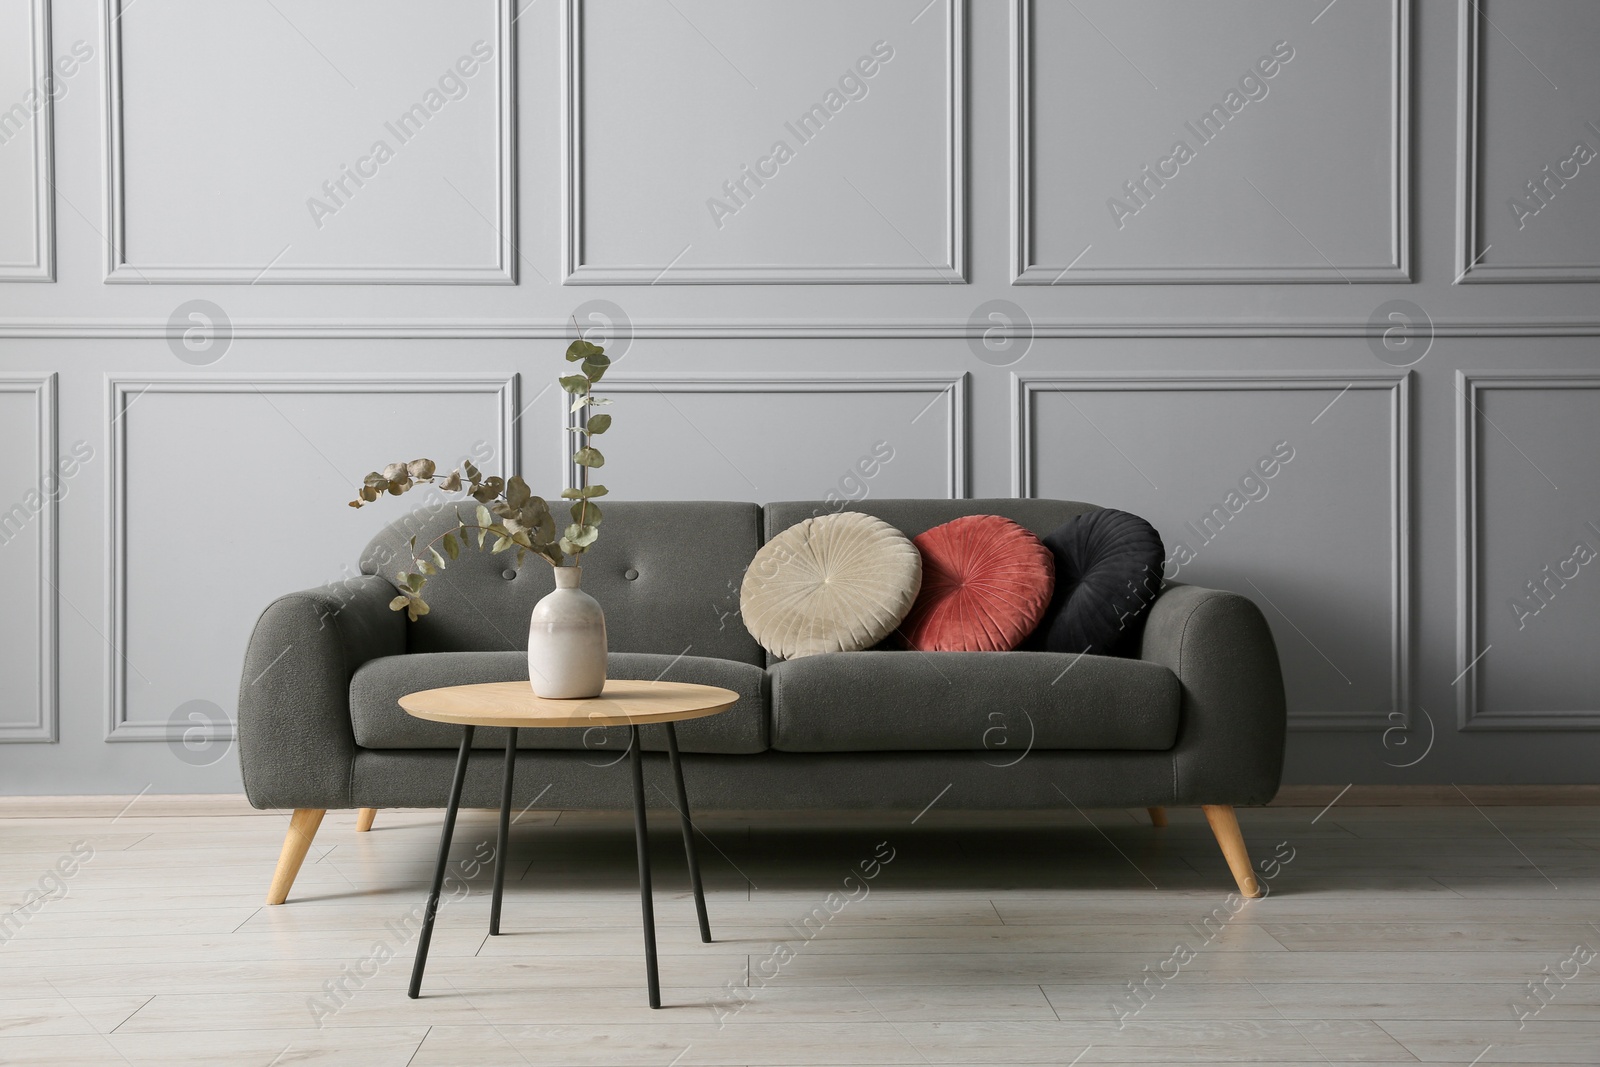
1108 573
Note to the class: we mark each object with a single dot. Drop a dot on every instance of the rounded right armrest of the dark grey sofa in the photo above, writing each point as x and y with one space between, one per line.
1233 722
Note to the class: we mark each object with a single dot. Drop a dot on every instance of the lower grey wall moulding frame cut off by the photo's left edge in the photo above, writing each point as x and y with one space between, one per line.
47 724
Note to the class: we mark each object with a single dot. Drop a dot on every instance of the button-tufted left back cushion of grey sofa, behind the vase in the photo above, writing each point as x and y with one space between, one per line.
665 572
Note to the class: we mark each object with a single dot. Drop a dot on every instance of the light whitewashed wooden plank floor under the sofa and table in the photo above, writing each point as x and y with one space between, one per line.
1390 937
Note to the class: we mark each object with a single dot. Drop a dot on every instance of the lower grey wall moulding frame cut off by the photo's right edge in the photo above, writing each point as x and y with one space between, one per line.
1470 709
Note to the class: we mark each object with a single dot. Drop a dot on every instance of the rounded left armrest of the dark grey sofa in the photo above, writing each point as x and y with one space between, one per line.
295 740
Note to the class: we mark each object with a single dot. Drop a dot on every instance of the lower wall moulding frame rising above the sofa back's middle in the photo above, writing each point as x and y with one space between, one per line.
951 390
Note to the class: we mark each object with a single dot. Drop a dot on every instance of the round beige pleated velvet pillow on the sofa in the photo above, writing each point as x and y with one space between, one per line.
831 585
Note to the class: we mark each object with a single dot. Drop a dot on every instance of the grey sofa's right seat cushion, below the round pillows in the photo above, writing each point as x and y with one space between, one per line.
1004 703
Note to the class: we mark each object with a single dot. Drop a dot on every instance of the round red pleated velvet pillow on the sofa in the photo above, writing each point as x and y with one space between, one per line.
986 583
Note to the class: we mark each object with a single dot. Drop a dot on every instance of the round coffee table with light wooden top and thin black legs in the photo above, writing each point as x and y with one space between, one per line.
514 706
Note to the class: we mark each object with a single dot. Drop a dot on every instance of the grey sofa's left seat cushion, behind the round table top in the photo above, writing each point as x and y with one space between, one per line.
382 724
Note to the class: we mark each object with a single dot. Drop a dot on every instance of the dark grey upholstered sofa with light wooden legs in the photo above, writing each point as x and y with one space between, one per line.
1199 719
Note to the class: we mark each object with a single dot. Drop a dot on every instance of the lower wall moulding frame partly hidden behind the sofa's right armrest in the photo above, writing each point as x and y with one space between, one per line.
1025 390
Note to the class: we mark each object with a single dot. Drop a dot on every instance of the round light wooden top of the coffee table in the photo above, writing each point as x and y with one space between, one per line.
623 703
